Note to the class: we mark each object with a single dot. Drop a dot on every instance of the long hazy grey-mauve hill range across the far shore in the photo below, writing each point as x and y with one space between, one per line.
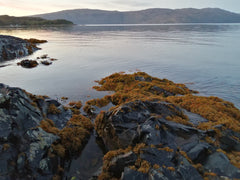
148 16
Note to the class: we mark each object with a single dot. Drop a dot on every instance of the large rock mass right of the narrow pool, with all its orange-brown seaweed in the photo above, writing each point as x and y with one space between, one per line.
164 136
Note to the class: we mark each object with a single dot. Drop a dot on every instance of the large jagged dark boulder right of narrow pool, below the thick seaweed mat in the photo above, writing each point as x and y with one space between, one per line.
173 146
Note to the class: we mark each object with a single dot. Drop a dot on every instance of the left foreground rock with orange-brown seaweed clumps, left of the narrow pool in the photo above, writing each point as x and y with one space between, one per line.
37 135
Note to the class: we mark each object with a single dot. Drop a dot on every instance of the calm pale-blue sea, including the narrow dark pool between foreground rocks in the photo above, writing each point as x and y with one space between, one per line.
204 56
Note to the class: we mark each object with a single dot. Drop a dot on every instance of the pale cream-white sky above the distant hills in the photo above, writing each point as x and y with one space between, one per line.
31 7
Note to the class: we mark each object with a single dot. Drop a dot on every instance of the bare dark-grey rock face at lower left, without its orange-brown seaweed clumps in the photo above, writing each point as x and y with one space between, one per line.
23 145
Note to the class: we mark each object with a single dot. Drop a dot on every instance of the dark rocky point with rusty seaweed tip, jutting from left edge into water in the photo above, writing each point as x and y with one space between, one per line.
13 47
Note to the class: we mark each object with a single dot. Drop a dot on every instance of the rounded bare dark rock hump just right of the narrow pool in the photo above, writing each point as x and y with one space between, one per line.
133 122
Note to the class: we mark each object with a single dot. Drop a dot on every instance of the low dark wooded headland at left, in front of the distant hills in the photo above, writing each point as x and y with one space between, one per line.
6 20
